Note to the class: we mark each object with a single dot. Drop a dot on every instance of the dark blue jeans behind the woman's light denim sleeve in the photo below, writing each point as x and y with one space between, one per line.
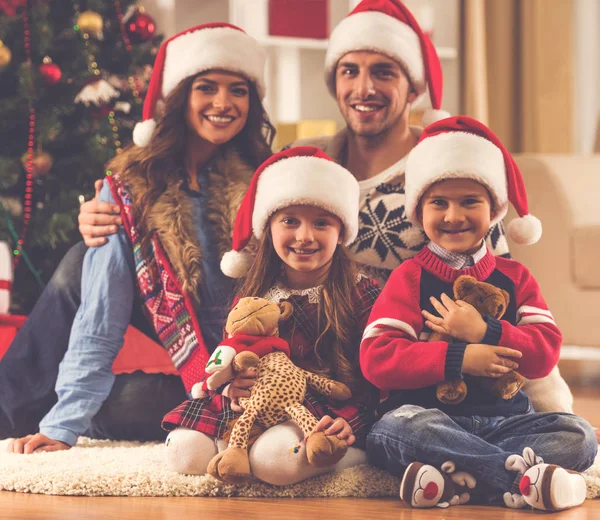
29 369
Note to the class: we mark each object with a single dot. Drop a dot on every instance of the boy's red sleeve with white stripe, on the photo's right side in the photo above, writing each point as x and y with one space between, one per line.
535 333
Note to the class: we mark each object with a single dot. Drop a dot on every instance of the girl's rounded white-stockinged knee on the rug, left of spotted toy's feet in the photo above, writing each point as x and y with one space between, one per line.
189 451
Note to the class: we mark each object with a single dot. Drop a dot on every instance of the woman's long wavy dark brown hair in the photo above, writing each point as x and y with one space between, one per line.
161 163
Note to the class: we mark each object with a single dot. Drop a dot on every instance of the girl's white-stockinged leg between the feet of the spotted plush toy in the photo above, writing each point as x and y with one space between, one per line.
278 457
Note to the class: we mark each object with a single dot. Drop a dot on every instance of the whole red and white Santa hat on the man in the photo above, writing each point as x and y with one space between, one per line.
388 27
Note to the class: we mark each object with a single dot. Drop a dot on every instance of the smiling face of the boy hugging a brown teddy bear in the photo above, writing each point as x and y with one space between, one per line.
456 214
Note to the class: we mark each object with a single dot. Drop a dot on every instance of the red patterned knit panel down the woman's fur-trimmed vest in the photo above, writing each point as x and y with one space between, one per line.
169 309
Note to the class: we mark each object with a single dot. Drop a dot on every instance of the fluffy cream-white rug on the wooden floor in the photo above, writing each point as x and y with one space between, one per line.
104 468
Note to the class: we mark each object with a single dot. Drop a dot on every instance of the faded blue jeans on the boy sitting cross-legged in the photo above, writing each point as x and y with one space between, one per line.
479 445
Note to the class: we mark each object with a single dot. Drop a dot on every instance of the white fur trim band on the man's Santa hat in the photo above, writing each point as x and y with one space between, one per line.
379 32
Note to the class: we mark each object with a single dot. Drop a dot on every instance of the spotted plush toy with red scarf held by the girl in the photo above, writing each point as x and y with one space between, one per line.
278 392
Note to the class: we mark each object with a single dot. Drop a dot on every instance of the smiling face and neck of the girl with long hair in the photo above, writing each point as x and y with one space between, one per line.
305 238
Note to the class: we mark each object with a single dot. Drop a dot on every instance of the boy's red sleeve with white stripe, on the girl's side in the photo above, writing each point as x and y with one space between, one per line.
391 355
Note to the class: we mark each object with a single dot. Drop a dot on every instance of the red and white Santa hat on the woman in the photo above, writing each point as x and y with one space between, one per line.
209 46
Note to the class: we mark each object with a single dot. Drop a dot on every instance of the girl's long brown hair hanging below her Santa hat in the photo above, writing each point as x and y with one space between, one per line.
335 348
